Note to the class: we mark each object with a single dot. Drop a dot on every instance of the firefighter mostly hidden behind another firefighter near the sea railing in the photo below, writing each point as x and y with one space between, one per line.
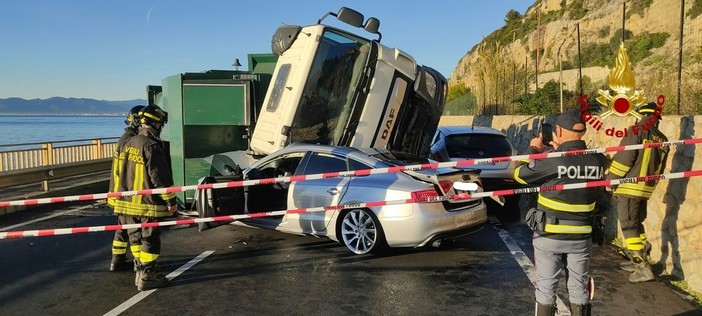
121 239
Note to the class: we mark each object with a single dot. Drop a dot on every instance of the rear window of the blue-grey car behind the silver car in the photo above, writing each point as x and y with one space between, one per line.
477 146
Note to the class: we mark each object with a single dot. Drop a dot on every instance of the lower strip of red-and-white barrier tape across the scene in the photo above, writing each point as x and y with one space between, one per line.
455 197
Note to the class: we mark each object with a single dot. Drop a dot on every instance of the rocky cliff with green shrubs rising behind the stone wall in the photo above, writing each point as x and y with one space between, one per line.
505 58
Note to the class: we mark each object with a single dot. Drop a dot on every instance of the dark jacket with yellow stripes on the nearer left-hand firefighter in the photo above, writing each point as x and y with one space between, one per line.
143 165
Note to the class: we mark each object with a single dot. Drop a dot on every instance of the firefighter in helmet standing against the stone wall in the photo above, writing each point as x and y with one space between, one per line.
633 197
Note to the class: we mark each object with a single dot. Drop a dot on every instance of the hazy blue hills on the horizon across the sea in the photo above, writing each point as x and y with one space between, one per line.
58 105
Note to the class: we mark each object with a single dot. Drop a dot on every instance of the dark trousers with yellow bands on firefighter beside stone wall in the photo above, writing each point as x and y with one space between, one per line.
632 212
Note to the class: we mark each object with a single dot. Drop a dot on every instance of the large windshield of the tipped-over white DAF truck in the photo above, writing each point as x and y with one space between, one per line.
326 100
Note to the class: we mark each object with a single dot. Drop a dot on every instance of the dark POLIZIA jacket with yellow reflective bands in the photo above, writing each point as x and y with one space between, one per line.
568 212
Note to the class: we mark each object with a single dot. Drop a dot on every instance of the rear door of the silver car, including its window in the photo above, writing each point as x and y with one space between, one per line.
318 193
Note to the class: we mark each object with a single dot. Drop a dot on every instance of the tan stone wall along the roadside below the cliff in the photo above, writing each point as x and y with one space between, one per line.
673 226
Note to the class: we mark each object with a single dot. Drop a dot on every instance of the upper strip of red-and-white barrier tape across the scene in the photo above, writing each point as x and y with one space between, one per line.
362 172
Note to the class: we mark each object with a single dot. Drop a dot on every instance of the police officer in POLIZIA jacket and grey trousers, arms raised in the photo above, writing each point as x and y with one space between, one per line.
562 220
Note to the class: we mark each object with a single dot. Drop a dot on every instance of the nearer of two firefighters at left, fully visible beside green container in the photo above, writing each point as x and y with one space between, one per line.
145 166
